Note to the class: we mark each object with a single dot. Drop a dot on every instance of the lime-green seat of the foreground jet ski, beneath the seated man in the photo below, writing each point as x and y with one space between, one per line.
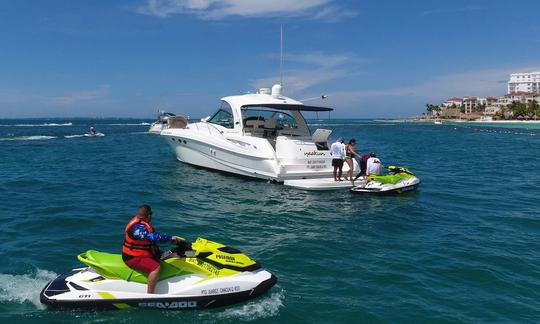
111 266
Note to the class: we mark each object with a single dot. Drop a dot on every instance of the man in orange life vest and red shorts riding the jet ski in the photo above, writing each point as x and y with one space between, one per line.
140 251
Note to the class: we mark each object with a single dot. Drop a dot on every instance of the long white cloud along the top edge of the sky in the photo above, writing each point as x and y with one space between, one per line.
219 9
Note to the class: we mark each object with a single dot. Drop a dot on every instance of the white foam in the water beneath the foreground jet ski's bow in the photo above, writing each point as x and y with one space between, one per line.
257 309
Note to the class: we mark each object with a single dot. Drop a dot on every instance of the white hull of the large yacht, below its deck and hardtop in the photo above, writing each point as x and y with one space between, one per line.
257 159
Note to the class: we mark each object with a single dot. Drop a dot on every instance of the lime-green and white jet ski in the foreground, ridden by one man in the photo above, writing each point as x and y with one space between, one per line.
200 275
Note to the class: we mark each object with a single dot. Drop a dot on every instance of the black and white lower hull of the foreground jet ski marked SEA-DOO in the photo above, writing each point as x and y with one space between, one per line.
64 294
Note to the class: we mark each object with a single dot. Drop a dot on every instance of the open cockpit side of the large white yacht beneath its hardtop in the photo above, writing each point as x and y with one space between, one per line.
268 122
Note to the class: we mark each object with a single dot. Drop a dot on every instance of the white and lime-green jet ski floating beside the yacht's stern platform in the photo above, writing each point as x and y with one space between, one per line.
398 180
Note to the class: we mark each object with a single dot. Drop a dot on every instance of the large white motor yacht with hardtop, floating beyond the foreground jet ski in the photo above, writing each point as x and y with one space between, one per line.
262 135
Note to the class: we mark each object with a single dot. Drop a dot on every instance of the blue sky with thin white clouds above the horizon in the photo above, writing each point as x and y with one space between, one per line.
373 59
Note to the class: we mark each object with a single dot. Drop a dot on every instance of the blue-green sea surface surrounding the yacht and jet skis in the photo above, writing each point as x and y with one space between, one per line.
465 247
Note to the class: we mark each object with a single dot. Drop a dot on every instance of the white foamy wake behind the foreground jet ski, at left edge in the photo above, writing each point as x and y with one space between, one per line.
24 288
